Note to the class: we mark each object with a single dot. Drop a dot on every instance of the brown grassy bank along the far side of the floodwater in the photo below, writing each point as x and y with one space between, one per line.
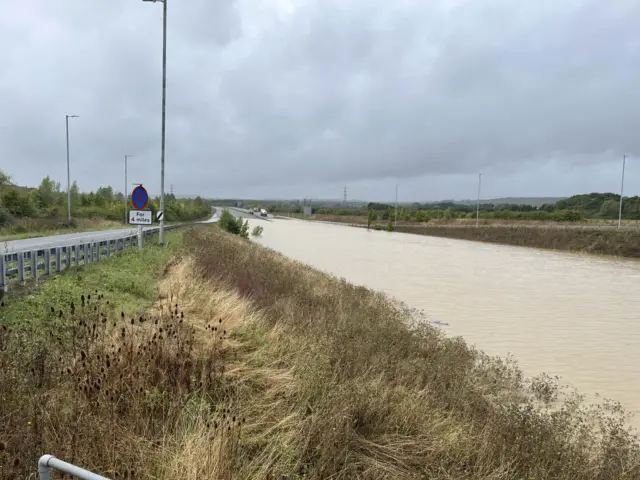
610 241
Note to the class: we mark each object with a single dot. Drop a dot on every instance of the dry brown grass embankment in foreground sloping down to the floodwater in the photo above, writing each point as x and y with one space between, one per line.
254 366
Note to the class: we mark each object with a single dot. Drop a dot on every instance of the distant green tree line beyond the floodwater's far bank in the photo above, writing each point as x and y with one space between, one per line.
575 208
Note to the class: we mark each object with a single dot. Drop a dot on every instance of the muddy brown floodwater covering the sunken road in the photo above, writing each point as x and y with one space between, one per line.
570 315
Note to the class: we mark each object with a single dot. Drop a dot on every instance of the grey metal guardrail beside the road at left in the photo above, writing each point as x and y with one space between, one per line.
36 262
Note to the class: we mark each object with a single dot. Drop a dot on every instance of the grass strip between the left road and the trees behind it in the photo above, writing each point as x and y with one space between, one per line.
31 228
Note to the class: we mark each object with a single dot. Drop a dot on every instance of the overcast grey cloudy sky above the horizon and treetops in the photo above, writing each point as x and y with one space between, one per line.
297 98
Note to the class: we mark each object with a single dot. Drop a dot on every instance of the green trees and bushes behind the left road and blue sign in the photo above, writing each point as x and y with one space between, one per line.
49 201
